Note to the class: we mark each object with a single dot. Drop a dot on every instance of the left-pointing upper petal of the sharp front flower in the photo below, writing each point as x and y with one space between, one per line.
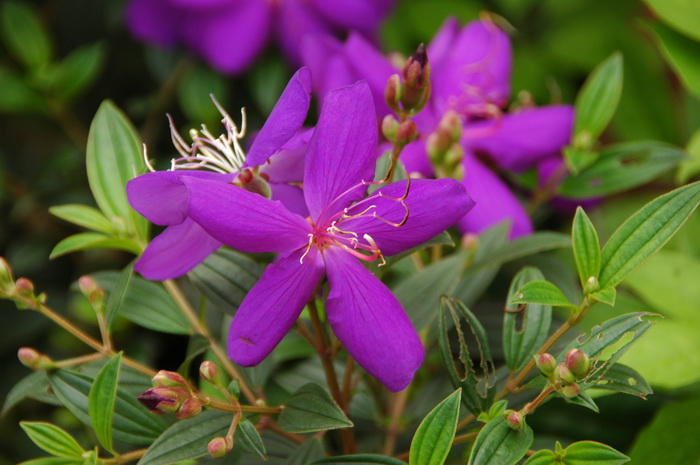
243 220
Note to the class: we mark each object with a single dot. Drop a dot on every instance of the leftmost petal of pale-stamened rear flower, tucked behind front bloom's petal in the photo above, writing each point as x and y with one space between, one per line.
162 197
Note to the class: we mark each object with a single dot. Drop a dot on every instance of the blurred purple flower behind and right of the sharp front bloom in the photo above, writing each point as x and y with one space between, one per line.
470 69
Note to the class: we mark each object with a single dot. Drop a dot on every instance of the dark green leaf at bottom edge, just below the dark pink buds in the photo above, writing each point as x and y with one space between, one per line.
187 439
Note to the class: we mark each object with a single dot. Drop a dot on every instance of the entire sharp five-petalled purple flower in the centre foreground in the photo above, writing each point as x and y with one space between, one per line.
343 226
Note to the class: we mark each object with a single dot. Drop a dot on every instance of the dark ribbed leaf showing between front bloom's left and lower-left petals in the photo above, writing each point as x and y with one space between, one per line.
225 278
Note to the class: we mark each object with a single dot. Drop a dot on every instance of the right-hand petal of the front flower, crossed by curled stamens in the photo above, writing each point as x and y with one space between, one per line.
433 205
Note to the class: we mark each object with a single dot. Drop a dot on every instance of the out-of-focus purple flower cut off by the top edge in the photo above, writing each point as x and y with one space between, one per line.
230 34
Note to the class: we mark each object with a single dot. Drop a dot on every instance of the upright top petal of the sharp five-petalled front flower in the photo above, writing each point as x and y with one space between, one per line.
342 150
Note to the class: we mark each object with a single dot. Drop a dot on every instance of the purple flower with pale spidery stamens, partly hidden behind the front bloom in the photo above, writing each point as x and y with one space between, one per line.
161 196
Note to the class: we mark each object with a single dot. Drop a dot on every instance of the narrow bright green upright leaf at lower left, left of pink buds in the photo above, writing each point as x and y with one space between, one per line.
101 400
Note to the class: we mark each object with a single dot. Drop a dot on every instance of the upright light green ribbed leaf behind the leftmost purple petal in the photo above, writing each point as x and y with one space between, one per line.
113 158
